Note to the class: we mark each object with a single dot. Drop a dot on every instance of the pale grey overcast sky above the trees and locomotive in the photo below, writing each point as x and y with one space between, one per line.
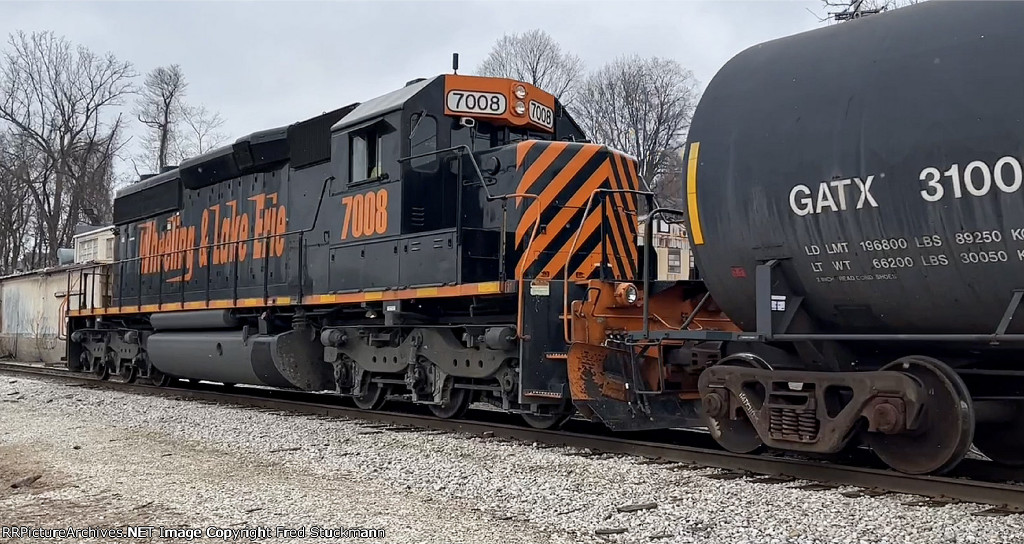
265 64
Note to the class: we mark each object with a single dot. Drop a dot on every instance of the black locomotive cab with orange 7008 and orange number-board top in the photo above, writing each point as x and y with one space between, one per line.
408 168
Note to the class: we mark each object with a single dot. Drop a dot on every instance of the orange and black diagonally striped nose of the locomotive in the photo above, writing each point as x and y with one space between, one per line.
569 224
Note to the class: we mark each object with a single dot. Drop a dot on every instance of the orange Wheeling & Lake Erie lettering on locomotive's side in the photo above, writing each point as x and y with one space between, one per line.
225 236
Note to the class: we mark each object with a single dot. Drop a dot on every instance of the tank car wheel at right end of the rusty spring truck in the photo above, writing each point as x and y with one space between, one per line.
945 436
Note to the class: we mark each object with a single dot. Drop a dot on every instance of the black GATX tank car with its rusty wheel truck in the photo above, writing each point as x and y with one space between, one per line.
855 205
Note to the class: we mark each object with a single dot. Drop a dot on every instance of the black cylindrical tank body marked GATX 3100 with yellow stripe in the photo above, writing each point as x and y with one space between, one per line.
879 161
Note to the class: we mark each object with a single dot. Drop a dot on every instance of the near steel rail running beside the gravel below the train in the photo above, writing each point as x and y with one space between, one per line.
943 488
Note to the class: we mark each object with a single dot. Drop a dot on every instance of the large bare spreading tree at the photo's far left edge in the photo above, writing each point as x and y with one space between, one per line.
59 103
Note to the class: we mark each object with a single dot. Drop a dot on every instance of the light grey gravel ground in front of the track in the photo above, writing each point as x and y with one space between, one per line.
110 459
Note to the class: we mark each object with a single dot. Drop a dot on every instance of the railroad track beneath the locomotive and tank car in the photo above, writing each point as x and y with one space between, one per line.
977 483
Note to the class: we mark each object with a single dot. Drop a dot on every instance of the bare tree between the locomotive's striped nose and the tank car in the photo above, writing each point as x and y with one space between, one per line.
643 107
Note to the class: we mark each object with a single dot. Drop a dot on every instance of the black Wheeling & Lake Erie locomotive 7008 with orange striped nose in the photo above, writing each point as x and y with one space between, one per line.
409 247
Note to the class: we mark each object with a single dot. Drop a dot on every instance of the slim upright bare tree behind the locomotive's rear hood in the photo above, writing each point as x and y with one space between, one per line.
160 108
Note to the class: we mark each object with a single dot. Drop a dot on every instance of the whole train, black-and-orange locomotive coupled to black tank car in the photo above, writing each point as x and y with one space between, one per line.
852 199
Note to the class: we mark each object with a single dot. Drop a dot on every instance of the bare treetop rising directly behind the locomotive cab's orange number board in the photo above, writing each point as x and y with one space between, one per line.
536 59
